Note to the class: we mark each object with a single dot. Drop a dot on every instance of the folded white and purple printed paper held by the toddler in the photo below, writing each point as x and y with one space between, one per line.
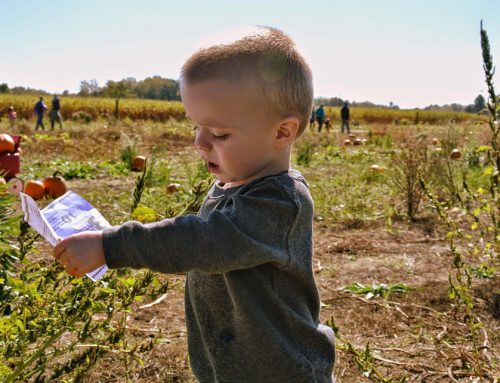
67 215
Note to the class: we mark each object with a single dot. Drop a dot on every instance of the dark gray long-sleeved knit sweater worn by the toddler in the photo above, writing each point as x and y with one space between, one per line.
252 304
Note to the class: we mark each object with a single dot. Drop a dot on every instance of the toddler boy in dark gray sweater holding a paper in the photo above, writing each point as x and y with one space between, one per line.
252 305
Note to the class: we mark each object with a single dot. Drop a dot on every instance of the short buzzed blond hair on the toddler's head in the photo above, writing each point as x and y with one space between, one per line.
268 62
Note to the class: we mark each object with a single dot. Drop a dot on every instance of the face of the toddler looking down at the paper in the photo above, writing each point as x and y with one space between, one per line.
233 136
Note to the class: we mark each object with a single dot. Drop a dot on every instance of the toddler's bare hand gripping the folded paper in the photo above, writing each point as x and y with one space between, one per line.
81 253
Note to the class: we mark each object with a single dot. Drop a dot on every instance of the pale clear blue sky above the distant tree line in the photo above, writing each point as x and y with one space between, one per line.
413 53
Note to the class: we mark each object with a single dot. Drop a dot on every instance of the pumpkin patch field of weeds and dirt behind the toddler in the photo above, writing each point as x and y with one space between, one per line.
406 245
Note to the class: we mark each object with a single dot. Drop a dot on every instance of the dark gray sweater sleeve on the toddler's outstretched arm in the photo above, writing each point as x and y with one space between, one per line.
251 230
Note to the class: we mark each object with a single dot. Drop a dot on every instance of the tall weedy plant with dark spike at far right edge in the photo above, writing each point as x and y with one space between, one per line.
474 240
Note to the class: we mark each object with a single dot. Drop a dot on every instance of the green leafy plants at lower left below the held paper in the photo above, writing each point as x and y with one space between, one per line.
55 327
